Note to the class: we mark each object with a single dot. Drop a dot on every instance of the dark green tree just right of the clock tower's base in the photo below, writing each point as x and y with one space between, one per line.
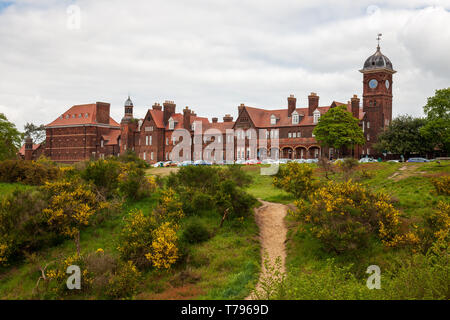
403 136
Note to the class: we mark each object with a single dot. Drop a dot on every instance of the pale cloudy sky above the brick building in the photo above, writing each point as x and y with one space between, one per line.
212 55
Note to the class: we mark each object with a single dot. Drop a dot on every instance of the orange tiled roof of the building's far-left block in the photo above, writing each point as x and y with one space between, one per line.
80 115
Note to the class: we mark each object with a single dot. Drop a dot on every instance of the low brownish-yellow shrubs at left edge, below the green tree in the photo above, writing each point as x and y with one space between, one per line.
28 172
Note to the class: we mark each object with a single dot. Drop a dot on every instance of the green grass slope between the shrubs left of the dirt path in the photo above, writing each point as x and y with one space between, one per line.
224 267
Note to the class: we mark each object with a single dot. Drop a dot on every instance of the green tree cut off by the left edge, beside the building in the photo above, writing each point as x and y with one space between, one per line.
10 139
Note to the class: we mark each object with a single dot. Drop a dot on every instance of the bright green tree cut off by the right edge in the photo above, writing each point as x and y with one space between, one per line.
437 128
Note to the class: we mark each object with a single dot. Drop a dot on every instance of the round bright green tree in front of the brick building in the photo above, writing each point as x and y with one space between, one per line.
338 129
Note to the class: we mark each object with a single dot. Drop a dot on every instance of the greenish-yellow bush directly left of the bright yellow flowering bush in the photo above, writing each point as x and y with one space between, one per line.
136 238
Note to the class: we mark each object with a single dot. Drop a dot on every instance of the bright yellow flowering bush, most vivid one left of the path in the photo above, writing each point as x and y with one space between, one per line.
164 251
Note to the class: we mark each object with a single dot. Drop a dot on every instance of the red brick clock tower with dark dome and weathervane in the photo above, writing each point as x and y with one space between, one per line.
377 96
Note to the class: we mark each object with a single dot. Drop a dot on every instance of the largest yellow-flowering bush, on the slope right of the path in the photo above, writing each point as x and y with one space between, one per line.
343 216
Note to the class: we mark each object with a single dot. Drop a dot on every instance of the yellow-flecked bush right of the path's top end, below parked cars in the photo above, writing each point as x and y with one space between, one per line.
296 178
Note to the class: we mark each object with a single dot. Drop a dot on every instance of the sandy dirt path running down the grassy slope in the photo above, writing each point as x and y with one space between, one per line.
272 234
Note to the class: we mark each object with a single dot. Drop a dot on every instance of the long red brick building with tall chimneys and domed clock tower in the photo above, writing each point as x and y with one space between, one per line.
88 131
